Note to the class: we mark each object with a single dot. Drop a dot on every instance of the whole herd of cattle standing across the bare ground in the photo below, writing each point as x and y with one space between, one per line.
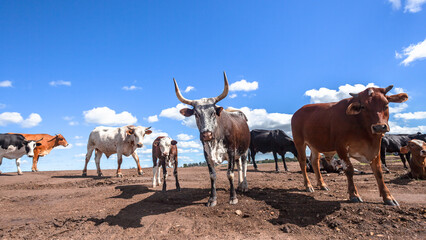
351 128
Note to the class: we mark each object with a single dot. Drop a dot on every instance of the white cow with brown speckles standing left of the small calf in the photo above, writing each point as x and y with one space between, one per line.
122 140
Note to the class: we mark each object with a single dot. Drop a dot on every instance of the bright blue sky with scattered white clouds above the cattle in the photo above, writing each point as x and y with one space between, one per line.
67 67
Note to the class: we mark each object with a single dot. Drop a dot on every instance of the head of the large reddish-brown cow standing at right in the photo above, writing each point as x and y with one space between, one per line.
371 107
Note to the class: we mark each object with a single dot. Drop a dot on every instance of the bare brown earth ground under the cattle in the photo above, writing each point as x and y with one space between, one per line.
64 205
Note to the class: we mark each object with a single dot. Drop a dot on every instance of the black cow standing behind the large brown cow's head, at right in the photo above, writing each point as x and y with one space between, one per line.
392 143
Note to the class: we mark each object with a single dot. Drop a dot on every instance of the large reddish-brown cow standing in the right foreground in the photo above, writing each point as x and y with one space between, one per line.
352 127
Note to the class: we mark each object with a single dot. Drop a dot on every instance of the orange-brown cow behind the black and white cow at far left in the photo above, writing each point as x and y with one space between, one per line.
47 144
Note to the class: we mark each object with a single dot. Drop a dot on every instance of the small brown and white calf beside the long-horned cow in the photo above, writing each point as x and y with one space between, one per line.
164 149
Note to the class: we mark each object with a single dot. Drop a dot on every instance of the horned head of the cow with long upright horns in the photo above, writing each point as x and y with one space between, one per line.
205 111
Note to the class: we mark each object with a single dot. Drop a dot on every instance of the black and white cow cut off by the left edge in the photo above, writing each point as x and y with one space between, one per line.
14 146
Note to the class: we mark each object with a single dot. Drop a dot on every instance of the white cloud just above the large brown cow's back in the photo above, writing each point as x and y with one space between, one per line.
323 95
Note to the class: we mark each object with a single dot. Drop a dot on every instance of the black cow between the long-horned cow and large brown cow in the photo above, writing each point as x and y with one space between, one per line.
275 141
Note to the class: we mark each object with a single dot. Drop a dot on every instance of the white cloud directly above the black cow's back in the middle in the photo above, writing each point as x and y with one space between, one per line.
260 118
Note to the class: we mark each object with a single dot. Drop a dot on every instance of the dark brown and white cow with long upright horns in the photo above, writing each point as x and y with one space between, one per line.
225 136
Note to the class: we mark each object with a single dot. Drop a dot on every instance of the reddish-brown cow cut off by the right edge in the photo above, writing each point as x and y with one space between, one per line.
418 160
